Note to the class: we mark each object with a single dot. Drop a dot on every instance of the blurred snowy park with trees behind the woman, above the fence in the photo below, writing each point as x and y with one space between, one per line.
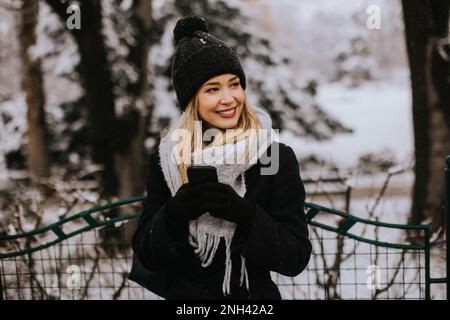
359 89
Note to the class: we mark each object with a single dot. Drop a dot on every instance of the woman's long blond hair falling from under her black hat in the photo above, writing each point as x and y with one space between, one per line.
187 144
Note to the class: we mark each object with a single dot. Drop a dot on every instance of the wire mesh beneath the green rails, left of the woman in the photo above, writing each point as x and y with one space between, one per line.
90 265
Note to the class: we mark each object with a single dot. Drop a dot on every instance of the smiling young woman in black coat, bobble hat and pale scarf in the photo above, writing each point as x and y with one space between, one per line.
220 240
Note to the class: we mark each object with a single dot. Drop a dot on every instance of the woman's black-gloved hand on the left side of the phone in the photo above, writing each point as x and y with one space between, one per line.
186 204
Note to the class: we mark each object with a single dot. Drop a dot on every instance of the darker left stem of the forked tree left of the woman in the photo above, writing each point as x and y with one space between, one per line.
96 80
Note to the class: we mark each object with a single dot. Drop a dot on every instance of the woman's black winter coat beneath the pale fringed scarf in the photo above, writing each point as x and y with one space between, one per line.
276 240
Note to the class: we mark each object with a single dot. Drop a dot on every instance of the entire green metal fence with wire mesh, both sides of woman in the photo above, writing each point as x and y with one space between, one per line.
82 257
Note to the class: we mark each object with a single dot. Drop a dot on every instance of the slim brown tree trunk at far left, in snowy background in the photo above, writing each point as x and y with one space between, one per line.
32 85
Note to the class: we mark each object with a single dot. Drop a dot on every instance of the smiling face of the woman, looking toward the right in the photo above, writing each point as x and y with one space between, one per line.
220 101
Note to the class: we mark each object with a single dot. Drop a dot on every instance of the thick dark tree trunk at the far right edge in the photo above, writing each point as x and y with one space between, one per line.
426 22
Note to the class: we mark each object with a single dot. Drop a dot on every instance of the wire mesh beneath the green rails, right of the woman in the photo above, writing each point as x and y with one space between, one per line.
344 268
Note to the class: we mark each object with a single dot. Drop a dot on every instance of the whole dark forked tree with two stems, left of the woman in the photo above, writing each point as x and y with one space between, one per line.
117 140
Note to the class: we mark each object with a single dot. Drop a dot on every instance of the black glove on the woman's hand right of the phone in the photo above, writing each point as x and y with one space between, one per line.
221 201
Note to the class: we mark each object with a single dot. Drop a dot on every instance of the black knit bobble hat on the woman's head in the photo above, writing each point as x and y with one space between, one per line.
199 56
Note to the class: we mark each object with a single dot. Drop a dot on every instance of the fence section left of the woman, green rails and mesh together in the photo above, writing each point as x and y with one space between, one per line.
86 256
